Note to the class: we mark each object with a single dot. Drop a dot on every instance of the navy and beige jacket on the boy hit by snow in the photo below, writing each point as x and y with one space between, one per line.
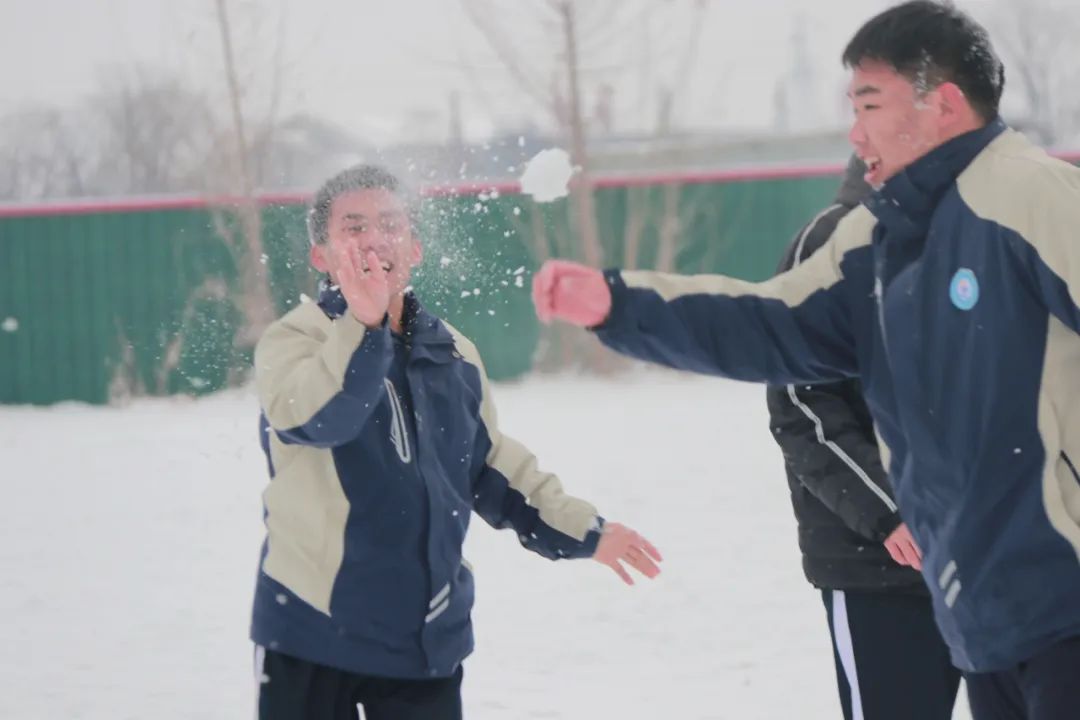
380 449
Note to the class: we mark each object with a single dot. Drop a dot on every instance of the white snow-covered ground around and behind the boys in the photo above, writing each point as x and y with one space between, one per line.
129 540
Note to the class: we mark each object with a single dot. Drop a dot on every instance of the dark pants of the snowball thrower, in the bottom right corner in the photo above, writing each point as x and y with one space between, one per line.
1045 688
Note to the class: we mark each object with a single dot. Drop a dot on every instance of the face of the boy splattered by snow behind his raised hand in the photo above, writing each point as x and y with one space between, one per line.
370 220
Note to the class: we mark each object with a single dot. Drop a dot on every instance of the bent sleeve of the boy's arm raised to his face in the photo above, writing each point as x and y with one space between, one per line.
318 388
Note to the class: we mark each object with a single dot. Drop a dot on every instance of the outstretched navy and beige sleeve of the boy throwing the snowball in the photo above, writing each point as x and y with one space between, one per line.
795 328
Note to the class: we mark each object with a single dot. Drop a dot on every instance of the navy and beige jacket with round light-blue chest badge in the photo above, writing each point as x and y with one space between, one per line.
955 296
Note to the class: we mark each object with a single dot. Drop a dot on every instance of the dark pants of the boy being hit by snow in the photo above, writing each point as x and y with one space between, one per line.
293 689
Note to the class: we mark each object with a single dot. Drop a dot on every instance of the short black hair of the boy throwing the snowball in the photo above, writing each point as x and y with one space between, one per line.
930 43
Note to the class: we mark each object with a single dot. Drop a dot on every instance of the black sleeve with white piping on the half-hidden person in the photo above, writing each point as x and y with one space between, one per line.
828 449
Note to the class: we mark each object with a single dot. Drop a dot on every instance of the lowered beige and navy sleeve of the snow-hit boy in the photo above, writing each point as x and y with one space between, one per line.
511 492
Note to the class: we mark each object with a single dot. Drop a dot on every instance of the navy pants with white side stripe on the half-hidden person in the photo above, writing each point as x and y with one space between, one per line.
892 663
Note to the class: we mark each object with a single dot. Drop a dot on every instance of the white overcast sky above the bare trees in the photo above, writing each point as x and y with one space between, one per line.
386 70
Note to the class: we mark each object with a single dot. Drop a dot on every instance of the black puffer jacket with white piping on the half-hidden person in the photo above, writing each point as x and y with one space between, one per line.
841 494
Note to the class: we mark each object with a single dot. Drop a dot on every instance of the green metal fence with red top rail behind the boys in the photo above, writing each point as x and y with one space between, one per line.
101 302
